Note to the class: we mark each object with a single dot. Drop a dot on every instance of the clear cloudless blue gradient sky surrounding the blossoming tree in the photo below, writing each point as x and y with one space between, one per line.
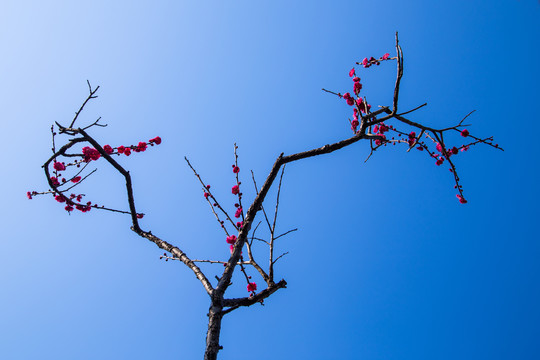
386 263
